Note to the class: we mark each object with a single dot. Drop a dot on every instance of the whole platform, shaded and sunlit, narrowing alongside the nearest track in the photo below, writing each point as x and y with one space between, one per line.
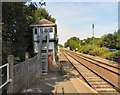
55 83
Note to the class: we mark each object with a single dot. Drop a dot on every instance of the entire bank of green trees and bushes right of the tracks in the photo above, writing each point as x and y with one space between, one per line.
100 48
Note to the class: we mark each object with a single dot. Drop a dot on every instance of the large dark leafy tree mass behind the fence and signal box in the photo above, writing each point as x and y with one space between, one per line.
17 34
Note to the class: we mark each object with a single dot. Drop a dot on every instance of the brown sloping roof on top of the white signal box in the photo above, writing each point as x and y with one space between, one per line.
43 23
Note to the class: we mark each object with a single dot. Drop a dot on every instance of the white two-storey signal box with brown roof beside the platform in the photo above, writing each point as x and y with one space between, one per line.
47 30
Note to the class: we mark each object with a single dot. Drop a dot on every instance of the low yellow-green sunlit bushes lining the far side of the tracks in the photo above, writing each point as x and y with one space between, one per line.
100 51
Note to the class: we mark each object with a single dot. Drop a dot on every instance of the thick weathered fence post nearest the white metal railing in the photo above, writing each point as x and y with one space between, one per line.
10 85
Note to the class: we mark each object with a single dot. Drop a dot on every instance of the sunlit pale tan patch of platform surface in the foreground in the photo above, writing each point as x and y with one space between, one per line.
73 86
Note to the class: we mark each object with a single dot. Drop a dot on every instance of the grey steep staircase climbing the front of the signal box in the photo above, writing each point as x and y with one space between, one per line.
43 52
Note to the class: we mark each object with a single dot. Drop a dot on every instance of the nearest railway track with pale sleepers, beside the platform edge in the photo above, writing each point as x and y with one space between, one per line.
95 80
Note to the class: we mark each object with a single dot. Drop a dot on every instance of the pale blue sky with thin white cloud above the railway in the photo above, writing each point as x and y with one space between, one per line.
76 18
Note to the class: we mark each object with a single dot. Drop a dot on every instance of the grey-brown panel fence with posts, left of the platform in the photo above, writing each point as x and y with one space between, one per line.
22 74
